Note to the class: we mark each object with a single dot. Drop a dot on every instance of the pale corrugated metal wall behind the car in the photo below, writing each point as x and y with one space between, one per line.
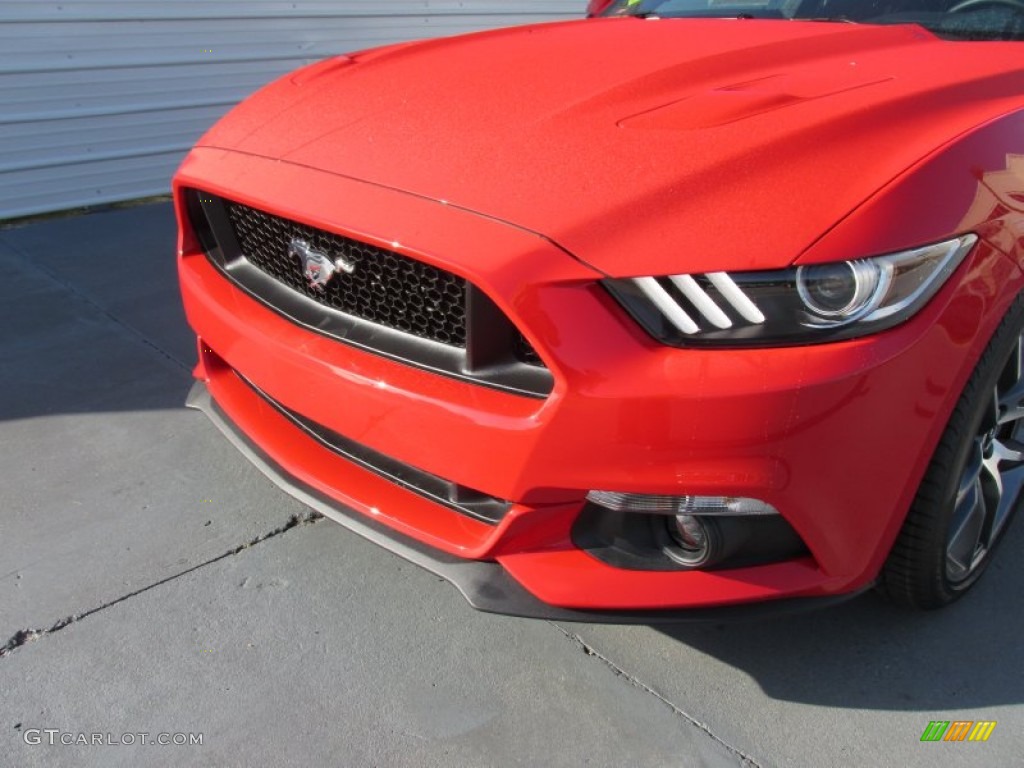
100 101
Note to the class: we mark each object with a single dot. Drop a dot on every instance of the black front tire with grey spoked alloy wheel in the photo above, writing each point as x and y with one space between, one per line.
973 486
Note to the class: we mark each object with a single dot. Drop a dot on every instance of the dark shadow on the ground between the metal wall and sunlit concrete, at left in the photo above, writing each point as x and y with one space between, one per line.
91 319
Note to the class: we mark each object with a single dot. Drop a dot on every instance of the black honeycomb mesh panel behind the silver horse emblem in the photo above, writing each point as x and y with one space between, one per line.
386 288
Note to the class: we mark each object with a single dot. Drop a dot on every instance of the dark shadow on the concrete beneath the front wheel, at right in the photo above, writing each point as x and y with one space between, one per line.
870 655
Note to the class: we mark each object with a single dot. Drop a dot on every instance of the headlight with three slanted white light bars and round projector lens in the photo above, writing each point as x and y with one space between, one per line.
797 306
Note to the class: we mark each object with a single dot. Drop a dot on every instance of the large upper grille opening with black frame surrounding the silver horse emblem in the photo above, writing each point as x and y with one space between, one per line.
382 302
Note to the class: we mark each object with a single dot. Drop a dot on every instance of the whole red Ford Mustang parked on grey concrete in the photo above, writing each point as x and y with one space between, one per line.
693 306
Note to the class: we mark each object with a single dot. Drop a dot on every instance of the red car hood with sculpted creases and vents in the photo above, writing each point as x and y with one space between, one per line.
642 147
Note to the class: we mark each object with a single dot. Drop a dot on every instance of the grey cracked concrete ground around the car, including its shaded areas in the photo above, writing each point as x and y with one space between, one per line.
152 582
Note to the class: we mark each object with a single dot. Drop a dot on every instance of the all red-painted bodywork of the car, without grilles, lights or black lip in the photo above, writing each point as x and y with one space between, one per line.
631 148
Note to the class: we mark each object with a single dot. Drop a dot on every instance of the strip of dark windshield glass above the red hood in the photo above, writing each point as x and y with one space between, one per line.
953 20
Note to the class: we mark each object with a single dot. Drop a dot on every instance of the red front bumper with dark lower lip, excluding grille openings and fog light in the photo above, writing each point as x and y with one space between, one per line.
836 437
